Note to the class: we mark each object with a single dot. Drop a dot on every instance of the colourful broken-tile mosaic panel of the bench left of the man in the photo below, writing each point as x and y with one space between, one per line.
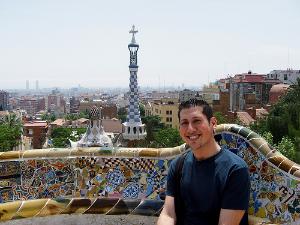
85 177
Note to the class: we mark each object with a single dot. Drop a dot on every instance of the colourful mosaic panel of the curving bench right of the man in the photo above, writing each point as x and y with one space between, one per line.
274 195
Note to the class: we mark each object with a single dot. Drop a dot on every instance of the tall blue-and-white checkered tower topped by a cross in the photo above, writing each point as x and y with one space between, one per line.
133 129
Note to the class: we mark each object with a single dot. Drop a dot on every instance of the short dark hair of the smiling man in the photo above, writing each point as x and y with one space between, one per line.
193 102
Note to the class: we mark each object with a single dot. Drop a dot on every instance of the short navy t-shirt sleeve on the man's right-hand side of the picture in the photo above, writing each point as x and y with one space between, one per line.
237 190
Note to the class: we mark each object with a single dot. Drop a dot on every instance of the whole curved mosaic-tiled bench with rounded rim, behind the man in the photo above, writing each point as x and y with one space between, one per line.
132 180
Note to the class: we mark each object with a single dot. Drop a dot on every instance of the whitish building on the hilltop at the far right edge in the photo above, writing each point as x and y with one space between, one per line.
287 76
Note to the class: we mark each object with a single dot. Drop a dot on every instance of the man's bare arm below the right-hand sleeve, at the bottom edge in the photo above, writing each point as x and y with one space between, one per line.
230 216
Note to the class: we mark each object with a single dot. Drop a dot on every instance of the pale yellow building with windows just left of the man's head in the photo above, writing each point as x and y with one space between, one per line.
166 109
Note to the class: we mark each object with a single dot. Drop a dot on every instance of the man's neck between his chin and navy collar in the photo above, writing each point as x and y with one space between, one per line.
207 151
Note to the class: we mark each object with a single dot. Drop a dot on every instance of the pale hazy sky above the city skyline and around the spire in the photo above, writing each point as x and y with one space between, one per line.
67 43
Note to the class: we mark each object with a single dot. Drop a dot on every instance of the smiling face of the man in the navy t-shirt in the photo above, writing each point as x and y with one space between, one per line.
195 129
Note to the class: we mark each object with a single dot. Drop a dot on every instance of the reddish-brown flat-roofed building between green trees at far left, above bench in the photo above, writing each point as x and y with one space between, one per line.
36 131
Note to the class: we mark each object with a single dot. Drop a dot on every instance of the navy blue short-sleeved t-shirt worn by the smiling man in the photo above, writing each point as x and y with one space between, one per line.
221 181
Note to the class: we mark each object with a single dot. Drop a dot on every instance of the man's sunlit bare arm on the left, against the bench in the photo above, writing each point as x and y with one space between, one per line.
168 215
